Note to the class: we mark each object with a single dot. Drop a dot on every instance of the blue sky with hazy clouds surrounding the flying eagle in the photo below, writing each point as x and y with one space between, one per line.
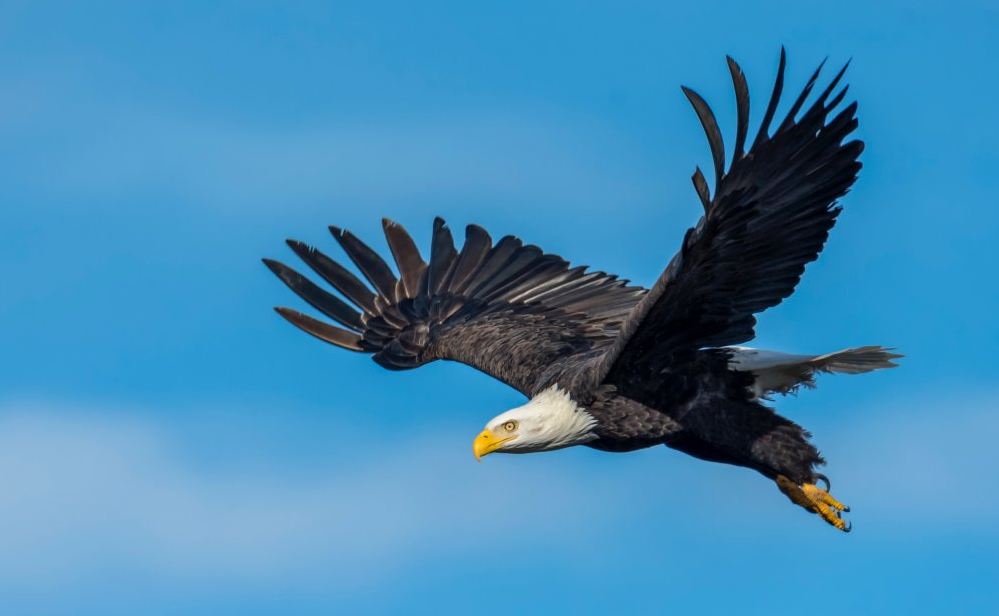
168 445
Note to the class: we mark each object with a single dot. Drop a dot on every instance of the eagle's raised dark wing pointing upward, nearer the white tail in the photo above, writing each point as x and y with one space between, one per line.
769 216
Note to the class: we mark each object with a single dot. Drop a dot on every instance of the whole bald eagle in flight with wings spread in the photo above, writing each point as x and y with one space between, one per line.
618 367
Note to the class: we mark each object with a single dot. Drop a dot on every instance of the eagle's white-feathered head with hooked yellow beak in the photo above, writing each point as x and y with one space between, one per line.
551 420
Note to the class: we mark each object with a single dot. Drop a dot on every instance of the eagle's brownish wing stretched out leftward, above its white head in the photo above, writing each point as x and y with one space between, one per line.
507 309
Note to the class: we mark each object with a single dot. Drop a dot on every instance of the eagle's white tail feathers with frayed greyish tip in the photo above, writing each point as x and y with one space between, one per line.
784 373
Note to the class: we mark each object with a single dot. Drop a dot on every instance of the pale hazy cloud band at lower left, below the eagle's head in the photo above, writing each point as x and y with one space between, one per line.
82 491
